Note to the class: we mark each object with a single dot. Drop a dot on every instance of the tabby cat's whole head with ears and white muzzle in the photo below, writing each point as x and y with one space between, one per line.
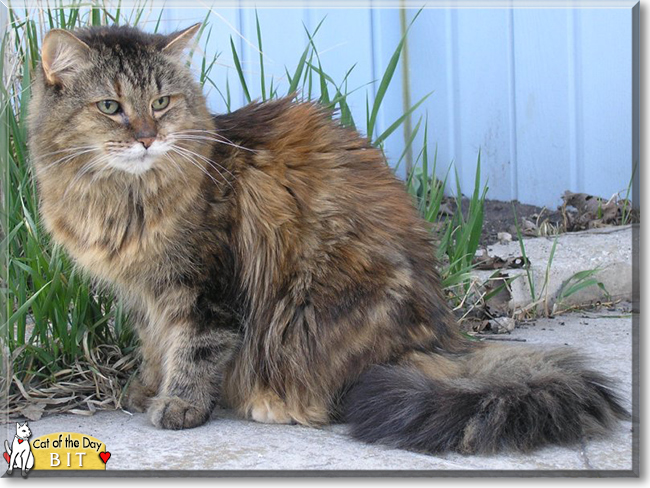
117 98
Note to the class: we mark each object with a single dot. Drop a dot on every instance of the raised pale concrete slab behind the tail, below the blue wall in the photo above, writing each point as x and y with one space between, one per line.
609 249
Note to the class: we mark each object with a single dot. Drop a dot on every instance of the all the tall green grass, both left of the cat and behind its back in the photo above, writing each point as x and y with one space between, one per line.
55 324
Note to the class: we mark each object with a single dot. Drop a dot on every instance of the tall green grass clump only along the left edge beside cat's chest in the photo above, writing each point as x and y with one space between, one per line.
51 317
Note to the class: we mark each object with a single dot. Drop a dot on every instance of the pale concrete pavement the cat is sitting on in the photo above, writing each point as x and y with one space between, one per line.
227 444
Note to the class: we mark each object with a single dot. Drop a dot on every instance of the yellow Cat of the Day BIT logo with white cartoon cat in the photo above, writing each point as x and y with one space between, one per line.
60 451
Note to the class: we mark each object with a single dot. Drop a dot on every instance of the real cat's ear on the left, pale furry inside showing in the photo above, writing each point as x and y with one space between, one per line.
62 54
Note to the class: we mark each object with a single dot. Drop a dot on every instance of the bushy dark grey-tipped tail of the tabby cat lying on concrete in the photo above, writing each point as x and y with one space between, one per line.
492 398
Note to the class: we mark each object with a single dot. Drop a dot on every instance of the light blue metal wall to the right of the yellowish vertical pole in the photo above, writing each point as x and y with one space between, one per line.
546 94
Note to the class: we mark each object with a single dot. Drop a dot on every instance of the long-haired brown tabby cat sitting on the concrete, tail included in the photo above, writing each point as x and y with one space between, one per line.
273 263
